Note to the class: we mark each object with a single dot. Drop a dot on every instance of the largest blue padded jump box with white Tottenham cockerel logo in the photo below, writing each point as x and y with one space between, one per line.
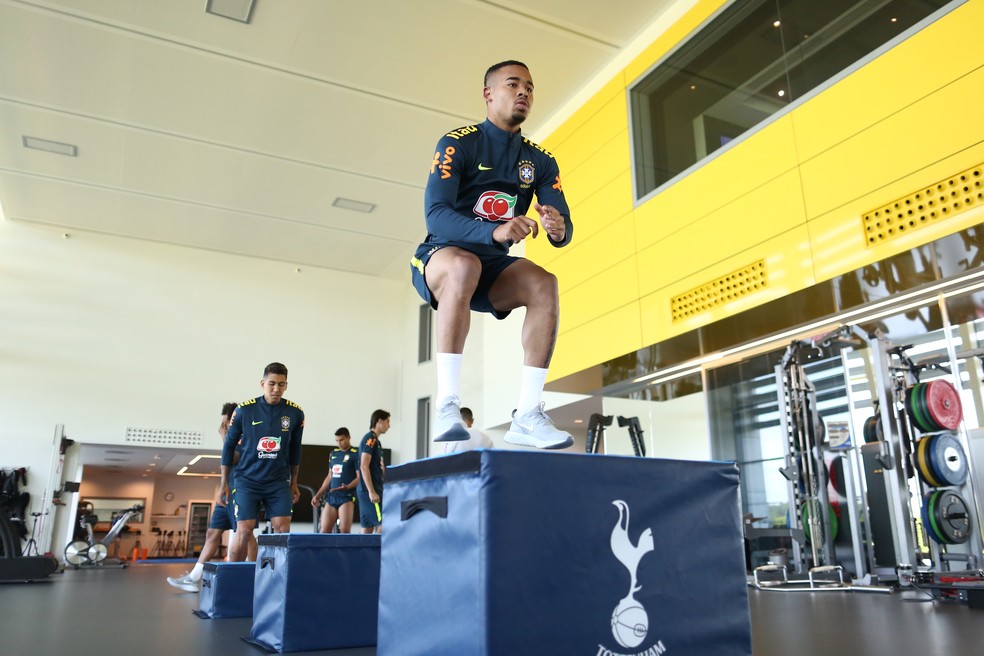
498 553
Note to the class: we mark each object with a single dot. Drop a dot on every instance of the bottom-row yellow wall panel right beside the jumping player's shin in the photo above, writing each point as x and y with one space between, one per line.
602 339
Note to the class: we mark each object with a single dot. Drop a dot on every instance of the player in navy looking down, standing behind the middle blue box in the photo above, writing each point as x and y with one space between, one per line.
268 430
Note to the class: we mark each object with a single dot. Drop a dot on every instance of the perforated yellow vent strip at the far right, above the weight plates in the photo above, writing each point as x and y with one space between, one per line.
939 201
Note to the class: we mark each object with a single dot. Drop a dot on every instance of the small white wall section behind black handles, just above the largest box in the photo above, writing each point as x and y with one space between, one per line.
671 429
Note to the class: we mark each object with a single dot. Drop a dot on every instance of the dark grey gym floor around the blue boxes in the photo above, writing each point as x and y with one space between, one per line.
132 611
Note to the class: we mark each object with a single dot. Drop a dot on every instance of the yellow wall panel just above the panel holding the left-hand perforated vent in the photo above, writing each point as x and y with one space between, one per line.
756 217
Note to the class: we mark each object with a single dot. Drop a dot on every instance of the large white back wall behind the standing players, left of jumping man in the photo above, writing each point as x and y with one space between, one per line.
102 333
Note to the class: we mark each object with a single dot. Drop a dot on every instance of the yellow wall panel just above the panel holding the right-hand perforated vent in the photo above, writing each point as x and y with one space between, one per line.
930 130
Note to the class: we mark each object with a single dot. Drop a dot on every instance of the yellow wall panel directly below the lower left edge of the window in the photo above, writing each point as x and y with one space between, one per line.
759 159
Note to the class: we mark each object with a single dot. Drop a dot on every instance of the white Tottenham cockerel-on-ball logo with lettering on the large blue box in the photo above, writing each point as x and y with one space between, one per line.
630 622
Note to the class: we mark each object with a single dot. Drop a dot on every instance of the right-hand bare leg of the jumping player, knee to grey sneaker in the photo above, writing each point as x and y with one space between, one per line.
525 284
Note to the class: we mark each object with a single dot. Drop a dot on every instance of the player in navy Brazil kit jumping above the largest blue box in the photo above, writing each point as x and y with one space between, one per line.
481 185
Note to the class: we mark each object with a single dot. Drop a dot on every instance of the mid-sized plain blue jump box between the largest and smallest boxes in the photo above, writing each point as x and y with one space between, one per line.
315 591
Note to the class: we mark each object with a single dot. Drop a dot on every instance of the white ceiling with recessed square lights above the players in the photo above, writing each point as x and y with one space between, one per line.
201 131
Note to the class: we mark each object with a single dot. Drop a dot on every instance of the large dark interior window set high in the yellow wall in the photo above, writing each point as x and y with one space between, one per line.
753 60
